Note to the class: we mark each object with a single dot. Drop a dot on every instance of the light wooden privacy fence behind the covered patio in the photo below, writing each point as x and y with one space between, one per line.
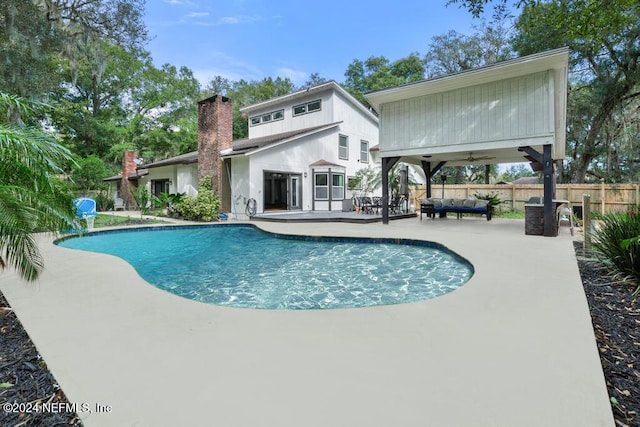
604 197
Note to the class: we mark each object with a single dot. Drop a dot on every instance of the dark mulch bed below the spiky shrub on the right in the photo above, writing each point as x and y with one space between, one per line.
615 314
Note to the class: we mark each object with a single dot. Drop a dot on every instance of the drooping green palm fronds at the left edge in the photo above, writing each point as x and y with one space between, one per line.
30 200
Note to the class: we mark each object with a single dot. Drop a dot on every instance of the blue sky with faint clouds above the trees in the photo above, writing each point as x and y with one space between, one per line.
254 39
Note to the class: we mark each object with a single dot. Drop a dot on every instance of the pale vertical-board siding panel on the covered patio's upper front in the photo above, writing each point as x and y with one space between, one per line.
518 111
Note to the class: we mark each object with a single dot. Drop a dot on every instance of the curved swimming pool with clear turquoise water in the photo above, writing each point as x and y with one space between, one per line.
240 265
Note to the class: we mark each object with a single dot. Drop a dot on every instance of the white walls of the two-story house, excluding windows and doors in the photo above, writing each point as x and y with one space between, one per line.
296 157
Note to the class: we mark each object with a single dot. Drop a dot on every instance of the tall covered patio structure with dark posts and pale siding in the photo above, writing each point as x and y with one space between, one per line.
509 112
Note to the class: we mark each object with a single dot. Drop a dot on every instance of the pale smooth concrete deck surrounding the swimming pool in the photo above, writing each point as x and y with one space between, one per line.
512 347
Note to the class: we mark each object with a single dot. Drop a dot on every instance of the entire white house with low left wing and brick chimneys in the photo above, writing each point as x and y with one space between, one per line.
301 152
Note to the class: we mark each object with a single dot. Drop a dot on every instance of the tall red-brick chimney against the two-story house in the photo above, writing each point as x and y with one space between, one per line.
215 133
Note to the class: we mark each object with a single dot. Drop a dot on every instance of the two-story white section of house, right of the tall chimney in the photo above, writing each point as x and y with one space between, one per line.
302 149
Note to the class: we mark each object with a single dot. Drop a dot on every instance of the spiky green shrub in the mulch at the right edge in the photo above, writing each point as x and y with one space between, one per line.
616 243
